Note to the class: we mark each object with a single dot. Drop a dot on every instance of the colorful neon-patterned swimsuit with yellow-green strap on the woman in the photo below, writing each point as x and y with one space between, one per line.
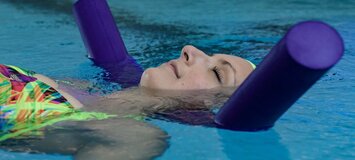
27 104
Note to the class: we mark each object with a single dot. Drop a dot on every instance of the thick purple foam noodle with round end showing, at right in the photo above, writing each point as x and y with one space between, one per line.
299 59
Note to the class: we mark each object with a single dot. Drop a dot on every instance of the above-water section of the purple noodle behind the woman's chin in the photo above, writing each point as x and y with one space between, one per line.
99 31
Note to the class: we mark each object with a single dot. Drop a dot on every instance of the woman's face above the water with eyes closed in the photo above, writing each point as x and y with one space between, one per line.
196 70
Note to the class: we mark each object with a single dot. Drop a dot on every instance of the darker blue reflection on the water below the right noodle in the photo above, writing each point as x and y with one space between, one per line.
257 145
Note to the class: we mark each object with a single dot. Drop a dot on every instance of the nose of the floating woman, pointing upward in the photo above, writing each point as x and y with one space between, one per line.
191 55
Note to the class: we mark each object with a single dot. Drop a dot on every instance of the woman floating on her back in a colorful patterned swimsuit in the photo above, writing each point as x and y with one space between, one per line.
31 101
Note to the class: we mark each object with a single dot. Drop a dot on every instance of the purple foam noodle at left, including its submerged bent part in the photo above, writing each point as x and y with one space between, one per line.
104 43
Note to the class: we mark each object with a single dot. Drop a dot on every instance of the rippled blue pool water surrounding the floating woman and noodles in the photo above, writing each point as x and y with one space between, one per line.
41 35
